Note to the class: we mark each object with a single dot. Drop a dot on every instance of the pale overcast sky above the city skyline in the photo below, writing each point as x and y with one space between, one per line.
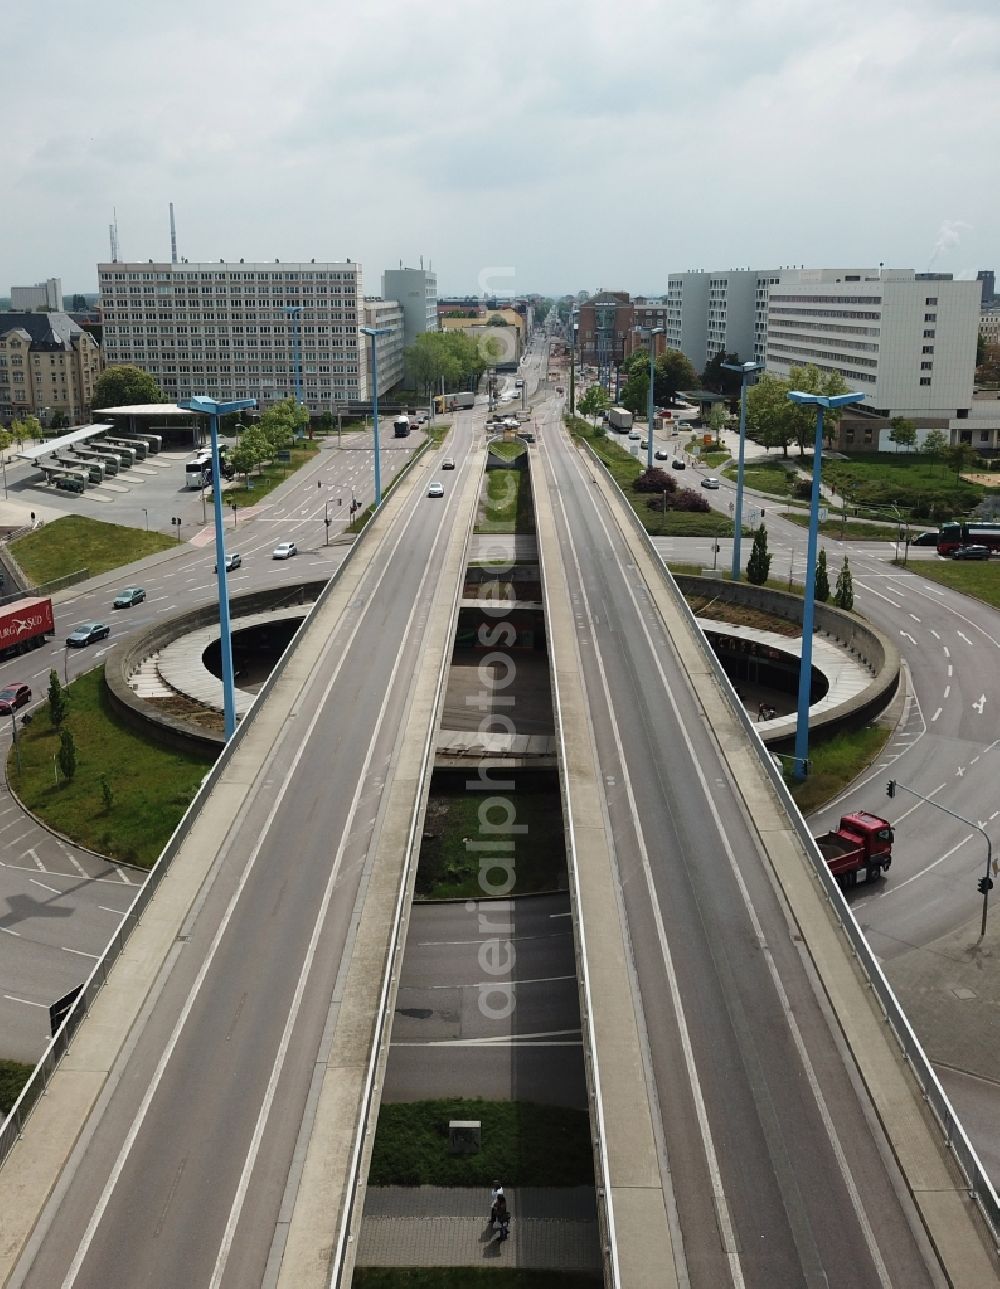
534 145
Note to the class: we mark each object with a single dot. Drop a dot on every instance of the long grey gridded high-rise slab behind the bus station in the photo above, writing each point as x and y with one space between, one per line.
240 331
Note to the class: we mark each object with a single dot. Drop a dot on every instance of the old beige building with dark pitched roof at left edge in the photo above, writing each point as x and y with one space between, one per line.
48 365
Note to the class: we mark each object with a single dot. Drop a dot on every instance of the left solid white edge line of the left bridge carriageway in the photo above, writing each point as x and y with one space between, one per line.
105 1199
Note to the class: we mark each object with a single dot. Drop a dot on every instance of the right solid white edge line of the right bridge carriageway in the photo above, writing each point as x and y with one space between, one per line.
833 1138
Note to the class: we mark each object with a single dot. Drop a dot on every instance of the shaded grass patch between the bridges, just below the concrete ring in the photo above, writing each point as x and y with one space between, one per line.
450 871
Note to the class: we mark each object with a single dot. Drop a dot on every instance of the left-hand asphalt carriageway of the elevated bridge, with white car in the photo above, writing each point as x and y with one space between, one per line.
181 1172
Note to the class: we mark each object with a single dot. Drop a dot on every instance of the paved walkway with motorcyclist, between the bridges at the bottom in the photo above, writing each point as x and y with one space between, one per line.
431 1226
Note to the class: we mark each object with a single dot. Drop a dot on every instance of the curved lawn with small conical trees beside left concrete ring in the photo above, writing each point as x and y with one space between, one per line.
151 786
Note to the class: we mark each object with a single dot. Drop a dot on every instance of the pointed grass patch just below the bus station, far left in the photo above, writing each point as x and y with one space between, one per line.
75 545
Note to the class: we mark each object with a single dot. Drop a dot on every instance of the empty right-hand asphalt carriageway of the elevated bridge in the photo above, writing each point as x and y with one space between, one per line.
773 1157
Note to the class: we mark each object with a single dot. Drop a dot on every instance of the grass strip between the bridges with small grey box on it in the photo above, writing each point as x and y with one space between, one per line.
523 1143
